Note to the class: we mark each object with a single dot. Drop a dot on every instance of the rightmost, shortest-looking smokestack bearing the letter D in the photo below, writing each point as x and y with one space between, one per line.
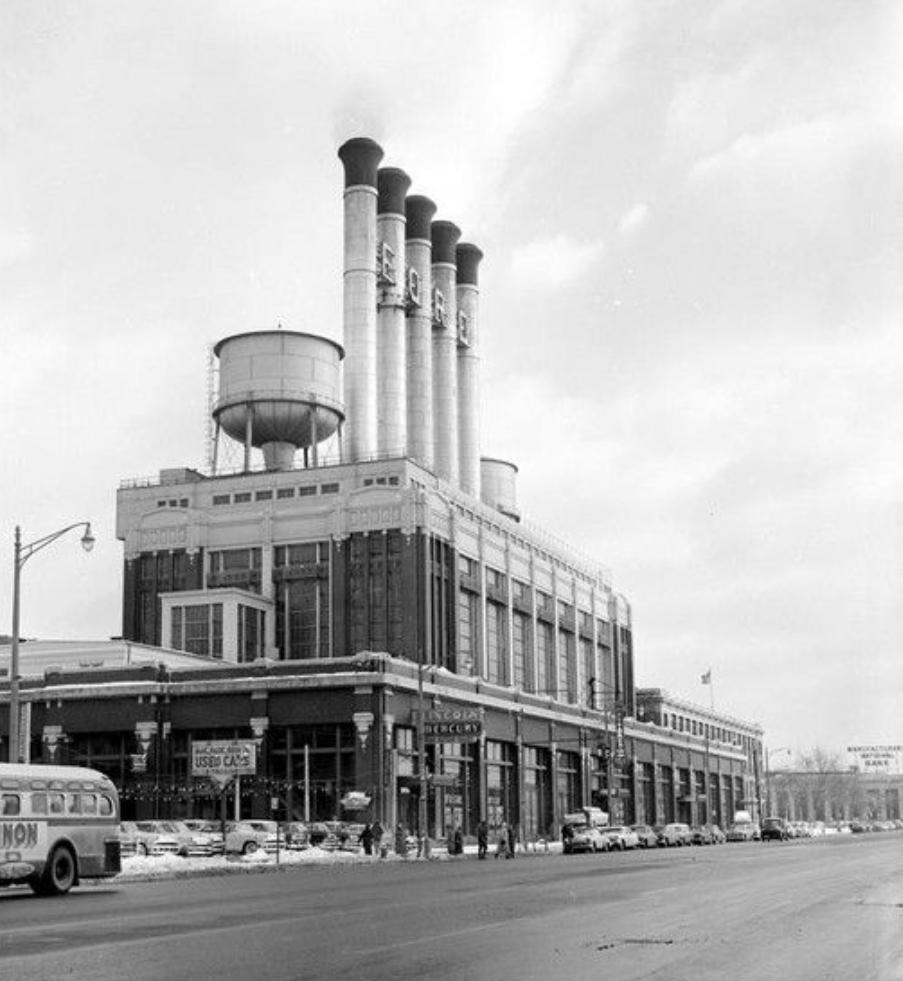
468 296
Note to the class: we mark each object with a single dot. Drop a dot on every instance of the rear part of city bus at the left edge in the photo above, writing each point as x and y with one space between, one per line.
58 825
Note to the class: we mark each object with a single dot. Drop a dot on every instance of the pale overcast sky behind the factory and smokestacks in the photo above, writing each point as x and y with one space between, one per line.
691 296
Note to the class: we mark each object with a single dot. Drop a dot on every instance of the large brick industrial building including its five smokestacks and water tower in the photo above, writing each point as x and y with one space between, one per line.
362 598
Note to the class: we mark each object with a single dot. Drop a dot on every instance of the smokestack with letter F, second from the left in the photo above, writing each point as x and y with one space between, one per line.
391 386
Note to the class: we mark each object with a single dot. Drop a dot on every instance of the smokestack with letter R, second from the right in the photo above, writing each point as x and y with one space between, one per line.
445 237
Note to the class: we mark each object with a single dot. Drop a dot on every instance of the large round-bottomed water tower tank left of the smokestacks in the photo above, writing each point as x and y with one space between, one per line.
279 390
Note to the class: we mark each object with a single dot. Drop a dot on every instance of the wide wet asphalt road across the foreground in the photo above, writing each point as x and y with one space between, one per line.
794 911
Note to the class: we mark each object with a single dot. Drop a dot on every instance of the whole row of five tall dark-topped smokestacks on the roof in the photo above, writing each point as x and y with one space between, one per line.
411 303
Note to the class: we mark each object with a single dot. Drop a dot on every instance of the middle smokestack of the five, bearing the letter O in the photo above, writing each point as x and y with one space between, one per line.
418 253
